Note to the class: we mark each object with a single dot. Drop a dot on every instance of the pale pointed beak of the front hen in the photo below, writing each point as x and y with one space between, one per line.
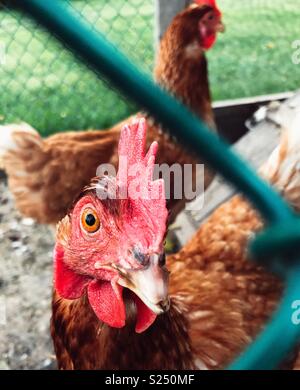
150 284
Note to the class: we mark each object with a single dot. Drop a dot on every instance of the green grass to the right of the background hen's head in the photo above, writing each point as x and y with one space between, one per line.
254 57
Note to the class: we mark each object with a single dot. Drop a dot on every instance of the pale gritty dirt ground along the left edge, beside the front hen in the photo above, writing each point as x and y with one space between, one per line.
25 289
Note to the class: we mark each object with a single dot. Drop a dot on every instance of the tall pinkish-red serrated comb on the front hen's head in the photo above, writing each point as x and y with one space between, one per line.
135 180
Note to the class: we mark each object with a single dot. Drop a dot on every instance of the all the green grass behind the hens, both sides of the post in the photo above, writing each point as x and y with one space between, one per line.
42 84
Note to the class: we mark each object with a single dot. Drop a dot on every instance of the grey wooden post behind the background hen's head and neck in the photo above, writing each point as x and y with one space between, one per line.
165 10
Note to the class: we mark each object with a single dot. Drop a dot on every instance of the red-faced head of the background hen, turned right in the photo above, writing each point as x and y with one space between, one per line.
203 20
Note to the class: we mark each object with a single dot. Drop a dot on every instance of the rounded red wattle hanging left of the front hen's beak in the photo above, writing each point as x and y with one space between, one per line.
108 307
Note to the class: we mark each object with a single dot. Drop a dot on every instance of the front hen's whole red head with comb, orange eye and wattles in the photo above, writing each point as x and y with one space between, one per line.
112 240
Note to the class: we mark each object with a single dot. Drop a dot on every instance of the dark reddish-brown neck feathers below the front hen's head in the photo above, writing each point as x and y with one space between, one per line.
165 345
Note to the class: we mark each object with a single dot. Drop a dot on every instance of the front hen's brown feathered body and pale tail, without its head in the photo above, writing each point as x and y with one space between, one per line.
219 300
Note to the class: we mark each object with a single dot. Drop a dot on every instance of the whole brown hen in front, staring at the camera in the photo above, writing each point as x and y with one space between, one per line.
219 300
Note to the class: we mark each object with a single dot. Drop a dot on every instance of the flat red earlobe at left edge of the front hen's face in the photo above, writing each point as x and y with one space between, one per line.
68 284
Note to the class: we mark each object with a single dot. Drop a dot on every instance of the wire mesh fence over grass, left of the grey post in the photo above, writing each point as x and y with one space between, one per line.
43 85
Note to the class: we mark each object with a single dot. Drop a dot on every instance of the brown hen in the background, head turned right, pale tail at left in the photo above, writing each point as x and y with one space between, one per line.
45 175
